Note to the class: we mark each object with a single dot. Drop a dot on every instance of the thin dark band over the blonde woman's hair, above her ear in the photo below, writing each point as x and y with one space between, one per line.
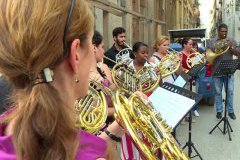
65 51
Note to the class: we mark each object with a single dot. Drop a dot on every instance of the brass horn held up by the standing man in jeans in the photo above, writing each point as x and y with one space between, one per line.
221 47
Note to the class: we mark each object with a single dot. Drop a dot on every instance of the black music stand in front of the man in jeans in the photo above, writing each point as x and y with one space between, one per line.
225 68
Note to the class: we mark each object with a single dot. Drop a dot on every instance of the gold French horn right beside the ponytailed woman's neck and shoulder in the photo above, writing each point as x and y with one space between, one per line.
92 110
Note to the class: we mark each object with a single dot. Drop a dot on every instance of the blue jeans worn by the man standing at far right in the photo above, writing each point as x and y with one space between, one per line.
219 81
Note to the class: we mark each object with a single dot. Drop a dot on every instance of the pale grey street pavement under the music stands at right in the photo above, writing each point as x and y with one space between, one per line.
215 146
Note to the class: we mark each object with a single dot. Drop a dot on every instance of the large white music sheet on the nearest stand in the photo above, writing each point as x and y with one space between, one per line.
172 106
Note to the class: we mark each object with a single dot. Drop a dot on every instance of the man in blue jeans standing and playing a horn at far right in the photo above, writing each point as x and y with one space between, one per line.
219 81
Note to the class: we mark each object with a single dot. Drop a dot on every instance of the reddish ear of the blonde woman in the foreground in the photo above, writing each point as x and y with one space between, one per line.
74 55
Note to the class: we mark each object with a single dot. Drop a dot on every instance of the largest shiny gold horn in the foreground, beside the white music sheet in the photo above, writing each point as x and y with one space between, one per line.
139 117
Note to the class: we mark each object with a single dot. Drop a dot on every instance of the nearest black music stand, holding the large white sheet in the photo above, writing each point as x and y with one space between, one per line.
197 98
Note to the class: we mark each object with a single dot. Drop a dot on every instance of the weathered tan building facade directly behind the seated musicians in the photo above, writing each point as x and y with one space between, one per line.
143 20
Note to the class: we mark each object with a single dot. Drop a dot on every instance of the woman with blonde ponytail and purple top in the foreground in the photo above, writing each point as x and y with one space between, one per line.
45 53
